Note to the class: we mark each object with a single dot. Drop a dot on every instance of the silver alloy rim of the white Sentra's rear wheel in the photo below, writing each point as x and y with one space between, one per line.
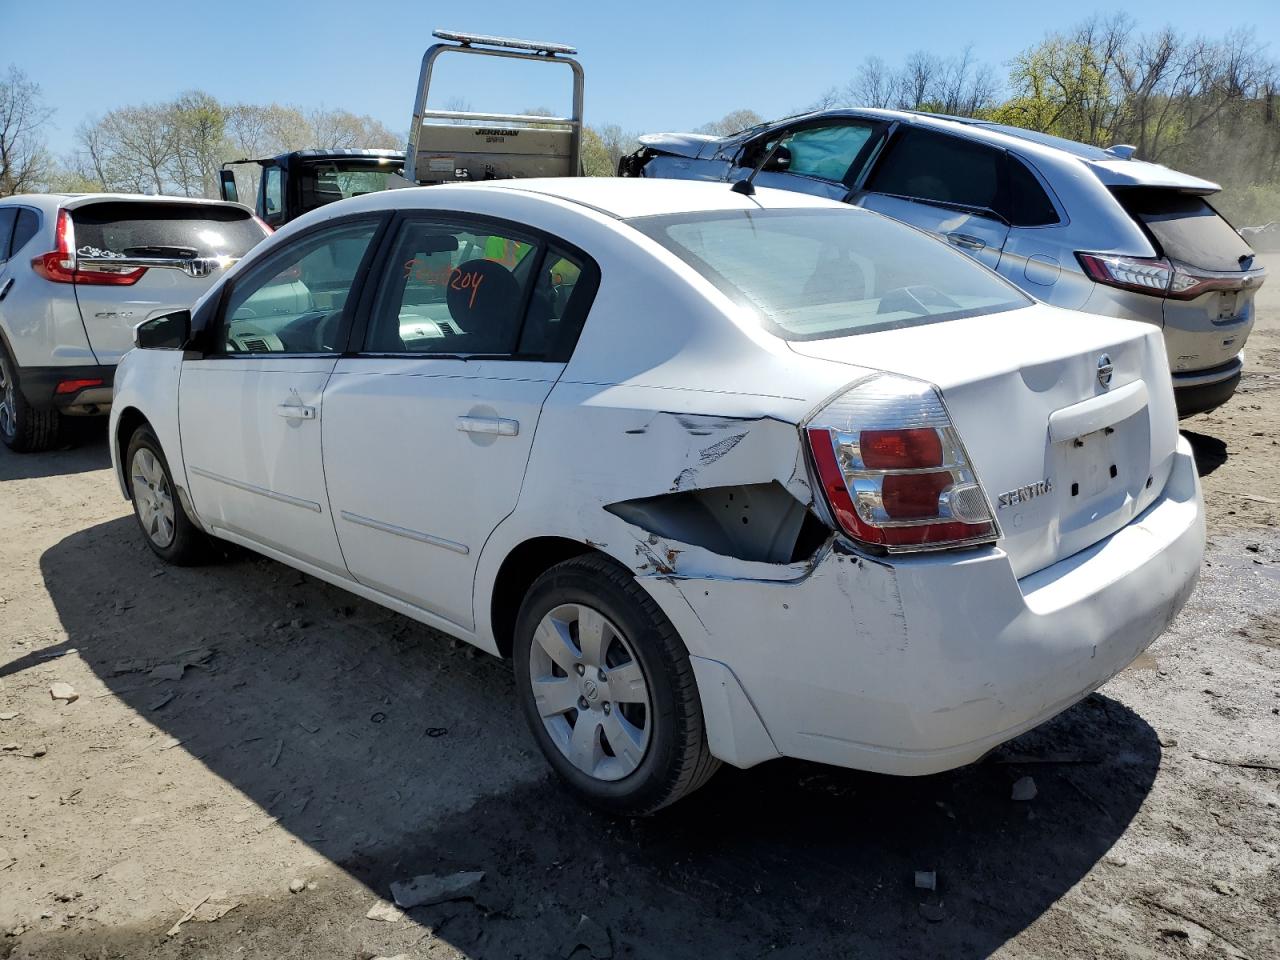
591 692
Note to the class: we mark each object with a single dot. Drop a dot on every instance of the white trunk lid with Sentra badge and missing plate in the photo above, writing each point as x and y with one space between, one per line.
1063 458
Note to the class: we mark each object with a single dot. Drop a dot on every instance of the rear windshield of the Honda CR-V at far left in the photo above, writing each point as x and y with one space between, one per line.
164 230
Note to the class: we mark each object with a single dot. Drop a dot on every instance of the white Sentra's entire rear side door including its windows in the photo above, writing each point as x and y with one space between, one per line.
428 432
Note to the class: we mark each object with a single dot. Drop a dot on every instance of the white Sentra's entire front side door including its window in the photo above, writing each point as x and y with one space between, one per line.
252 410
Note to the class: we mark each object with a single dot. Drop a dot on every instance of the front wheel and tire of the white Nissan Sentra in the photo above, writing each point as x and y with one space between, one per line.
168 531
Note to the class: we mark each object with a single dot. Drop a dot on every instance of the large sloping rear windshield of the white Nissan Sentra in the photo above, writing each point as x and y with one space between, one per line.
815 275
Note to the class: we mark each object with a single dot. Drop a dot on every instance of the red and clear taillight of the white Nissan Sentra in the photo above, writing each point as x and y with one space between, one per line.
894 469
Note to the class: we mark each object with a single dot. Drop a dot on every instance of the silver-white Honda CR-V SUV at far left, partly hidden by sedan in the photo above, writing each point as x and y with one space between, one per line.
77 275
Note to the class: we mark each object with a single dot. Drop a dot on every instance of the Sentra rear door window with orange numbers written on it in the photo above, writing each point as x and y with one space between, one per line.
455 290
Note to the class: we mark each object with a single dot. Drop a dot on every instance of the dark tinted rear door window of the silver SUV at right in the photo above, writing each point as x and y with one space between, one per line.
926 166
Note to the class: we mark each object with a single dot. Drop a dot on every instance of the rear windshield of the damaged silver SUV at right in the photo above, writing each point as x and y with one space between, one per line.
1186 228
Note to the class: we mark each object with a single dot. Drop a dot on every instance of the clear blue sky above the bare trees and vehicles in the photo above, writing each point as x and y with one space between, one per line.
650 66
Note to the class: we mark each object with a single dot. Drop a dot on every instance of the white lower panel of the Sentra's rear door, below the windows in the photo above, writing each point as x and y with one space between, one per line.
415 499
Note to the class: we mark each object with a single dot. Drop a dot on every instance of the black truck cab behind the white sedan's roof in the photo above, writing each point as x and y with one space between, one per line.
290 185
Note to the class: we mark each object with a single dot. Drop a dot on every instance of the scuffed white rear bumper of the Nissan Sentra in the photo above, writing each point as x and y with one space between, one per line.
922 665
